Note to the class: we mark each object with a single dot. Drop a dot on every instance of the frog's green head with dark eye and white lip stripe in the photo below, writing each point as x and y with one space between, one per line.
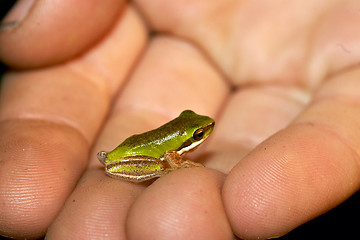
198 128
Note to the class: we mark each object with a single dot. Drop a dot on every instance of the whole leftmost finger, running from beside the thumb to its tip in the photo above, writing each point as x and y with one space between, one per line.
50 118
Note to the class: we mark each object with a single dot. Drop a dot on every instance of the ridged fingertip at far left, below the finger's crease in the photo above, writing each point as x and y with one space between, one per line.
38 171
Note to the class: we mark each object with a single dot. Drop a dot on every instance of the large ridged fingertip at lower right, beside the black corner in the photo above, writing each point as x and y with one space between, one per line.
287 180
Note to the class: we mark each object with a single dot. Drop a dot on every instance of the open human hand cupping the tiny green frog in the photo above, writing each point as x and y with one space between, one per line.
272 76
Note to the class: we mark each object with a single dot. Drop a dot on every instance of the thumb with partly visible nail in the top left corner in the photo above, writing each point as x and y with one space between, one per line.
41 33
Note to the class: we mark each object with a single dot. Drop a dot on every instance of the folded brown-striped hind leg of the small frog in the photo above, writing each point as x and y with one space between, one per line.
137 169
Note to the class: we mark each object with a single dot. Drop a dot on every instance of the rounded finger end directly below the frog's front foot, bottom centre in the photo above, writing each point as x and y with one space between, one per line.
184 205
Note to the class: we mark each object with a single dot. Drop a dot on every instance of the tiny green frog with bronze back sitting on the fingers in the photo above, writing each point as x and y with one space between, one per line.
155 153
